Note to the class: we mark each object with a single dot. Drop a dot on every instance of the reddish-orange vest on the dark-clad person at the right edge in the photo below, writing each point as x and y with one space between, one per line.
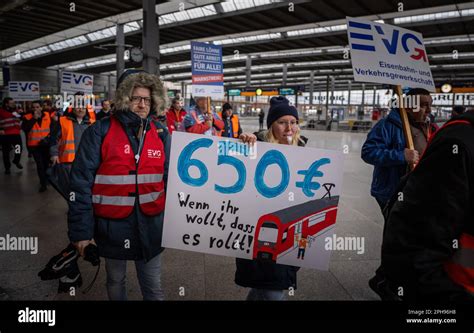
460 267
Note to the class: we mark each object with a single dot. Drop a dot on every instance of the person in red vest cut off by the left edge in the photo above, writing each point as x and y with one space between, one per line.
10 134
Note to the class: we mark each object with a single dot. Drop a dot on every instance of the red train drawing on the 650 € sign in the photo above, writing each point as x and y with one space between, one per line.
275 232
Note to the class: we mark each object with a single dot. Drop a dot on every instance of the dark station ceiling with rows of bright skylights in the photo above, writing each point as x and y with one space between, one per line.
305 35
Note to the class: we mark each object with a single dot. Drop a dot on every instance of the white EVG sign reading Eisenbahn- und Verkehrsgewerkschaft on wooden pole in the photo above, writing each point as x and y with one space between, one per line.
383 53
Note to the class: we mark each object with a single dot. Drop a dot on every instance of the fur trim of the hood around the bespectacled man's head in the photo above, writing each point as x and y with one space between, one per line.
145 80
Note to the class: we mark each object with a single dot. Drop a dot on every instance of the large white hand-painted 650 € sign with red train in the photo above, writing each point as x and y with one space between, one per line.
264 202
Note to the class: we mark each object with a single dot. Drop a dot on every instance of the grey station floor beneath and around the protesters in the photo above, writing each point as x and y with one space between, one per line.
25 212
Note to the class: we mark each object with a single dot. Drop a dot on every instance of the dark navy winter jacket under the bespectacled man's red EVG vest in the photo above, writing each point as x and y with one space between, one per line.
136 237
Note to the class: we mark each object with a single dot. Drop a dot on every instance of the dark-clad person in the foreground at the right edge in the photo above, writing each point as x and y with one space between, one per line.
428 243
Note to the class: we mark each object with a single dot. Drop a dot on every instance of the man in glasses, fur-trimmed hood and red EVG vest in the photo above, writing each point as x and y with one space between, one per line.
118 180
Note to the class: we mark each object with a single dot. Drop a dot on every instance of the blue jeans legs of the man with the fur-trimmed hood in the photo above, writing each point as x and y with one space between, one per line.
149 277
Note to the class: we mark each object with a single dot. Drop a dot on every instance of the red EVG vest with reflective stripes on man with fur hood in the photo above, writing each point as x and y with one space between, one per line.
119 181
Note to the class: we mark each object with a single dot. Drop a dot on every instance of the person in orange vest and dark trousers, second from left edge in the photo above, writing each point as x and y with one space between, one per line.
36 126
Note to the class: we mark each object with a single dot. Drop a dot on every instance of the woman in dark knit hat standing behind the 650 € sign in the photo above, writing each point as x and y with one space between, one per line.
268 280
